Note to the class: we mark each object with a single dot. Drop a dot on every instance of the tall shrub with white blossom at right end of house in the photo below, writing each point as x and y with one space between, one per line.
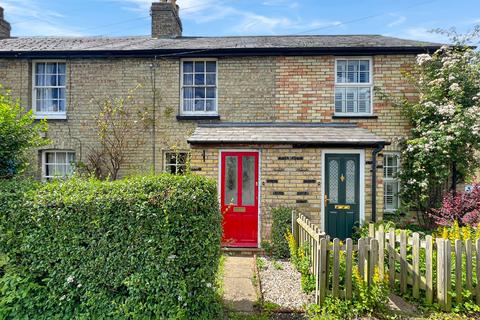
445 123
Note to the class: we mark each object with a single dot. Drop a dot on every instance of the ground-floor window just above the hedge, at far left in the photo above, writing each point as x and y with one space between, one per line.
58 164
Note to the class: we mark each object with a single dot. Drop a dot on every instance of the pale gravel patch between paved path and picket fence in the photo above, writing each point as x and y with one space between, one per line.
281 285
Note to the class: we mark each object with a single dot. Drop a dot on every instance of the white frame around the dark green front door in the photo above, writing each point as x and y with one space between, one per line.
360 152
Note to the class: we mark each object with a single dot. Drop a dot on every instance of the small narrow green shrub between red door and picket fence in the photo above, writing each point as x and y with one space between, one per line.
282 221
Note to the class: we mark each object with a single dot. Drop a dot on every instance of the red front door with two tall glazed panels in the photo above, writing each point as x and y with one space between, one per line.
239 198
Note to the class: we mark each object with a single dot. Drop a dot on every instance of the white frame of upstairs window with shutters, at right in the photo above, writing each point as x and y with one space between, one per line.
354 85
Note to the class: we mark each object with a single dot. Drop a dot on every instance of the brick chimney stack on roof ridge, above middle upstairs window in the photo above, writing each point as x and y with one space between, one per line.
166 21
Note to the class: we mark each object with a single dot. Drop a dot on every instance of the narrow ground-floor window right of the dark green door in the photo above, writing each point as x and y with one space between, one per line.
391 183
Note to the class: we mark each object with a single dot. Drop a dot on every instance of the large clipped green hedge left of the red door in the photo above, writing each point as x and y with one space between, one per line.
144 247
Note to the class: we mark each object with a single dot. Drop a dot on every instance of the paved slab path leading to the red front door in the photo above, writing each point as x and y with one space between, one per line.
239 293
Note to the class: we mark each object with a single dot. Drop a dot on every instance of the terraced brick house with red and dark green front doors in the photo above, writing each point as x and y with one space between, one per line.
276 120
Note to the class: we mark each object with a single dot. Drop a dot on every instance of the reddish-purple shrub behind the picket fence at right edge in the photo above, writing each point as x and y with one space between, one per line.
462 208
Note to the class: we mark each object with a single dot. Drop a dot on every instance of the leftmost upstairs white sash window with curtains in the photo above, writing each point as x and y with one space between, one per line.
49 90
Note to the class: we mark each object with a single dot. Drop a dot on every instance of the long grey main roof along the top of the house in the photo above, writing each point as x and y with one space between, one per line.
25 46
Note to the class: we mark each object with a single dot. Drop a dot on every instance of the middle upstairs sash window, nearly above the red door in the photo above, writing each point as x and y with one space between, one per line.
199 87
